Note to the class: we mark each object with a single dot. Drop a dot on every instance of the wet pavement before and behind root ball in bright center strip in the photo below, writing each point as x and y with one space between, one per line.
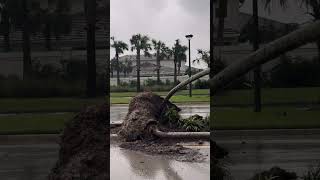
134 165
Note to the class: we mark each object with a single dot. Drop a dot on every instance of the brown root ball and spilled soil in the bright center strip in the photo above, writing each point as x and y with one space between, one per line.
144 110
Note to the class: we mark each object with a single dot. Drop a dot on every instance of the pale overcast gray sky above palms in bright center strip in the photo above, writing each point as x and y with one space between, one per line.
165 20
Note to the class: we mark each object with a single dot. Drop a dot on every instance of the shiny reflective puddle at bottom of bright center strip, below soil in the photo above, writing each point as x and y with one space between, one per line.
126 164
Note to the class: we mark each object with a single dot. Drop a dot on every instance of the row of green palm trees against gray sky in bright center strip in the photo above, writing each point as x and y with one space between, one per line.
142 44
